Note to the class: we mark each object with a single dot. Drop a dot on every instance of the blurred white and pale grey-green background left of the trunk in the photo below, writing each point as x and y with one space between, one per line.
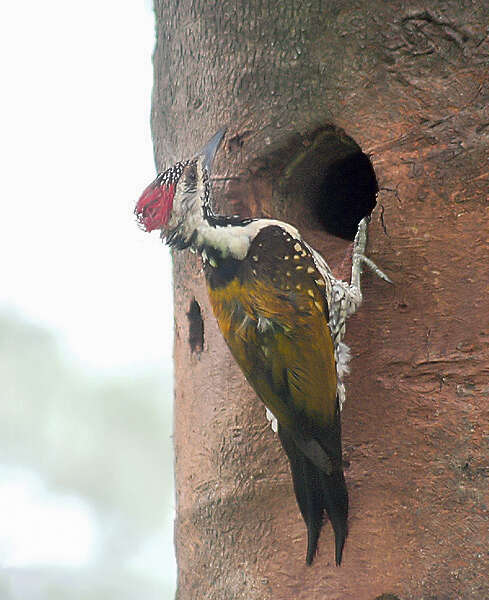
86 481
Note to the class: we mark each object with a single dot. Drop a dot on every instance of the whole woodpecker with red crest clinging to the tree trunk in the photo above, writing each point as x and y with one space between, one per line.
282 314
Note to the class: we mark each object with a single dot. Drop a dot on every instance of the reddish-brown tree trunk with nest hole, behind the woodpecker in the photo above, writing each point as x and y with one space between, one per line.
312 92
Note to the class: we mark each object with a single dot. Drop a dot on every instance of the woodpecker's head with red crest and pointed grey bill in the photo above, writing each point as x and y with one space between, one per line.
174 202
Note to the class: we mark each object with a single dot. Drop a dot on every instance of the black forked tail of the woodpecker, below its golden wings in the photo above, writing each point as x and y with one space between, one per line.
317 492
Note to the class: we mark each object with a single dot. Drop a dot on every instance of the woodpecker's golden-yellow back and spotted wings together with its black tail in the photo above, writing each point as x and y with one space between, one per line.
273 313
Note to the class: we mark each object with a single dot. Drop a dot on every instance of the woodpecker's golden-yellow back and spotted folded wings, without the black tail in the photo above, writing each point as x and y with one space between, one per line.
273 314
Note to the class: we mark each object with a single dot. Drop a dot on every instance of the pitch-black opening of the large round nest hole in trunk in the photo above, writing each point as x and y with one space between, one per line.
347 194
